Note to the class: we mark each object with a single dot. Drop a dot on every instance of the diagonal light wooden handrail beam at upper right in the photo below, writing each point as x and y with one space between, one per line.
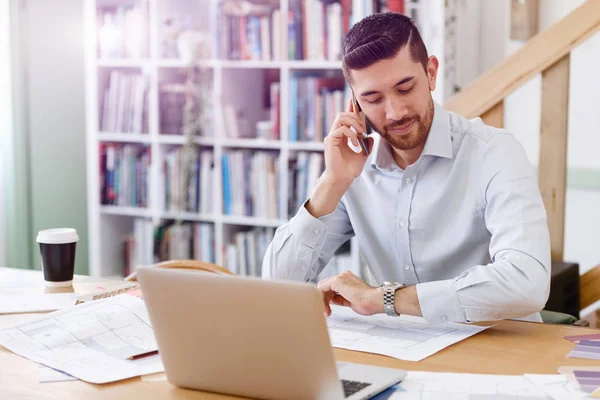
539 53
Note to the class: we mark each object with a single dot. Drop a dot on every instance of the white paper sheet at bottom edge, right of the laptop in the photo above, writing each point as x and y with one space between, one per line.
452 386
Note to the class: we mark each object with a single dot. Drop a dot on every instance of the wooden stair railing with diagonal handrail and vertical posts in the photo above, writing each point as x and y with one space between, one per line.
547 53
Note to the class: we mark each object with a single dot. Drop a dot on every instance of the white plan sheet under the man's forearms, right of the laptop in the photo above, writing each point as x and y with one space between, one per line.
406 337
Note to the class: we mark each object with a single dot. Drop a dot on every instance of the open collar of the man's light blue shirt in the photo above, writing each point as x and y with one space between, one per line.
438 144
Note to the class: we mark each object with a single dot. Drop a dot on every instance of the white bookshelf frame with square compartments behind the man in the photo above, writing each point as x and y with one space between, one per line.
232 80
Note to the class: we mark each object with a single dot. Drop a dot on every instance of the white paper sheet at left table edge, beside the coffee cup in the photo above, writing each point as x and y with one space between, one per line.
21 303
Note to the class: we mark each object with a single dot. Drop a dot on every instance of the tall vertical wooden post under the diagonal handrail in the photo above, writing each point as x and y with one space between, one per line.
553 150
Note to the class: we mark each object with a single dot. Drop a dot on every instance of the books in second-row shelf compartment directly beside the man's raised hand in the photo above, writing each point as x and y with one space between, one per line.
314 103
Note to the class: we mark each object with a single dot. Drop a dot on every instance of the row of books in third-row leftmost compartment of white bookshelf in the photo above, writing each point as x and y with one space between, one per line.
124 171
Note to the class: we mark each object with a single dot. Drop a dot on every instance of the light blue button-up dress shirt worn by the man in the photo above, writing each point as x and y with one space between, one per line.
465 223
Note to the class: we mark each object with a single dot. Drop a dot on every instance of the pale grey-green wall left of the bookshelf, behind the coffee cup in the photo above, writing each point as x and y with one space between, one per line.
51 82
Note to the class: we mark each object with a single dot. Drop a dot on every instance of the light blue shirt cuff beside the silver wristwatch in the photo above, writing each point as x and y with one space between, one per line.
439 302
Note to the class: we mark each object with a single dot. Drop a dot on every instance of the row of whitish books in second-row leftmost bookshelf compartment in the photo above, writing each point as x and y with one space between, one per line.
125 102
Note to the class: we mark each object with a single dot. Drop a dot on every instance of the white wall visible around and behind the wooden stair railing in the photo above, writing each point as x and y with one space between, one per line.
483 41
